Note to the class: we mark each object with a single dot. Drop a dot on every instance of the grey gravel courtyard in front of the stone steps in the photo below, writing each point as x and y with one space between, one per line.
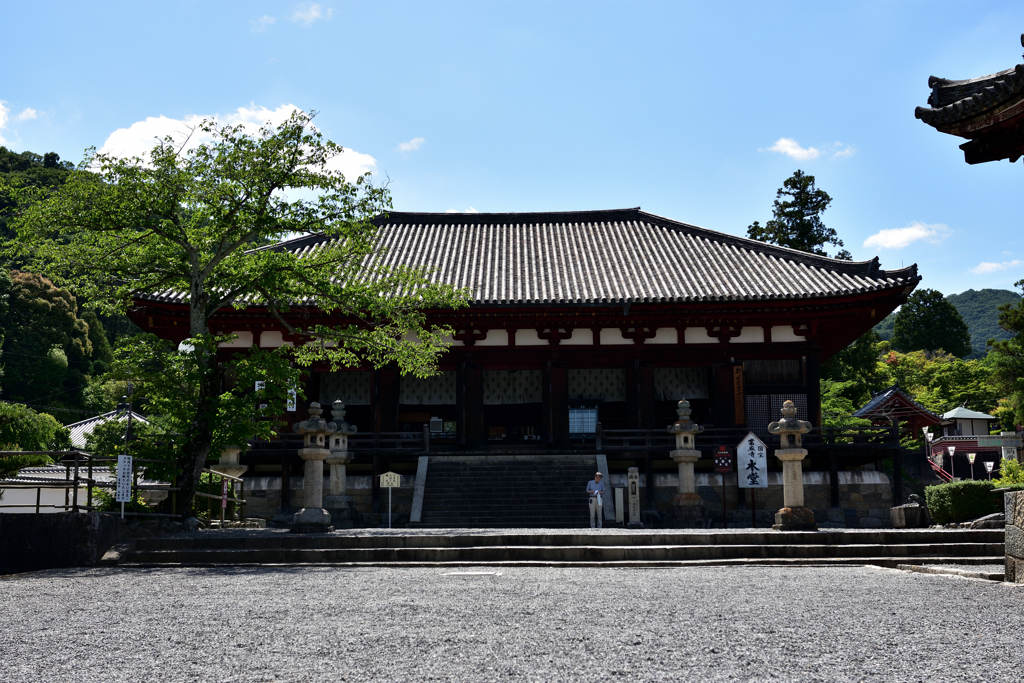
329 624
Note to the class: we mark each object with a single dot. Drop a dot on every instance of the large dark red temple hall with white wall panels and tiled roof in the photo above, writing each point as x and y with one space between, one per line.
580 318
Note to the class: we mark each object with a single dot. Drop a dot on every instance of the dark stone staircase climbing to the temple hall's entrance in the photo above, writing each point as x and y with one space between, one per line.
507 492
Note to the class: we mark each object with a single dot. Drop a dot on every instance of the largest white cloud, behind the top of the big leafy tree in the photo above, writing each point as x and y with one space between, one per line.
139 139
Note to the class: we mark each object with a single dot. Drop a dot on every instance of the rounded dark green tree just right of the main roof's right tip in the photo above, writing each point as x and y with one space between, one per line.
929 323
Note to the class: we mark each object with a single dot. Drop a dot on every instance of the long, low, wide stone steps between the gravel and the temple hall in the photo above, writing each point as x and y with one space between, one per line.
609 548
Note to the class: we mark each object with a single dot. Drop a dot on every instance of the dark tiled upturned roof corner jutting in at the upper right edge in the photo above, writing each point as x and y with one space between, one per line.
955 101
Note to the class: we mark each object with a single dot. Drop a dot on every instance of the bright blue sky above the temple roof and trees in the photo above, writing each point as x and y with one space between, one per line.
697 112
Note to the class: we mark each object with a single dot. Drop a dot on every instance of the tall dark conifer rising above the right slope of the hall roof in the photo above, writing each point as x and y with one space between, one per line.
797 220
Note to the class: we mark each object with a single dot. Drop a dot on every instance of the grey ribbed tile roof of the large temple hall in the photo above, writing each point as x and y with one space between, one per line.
617 257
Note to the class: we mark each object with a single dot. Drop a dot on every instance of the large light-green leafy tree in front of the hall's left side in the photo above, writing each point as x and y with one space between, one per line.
188 220
